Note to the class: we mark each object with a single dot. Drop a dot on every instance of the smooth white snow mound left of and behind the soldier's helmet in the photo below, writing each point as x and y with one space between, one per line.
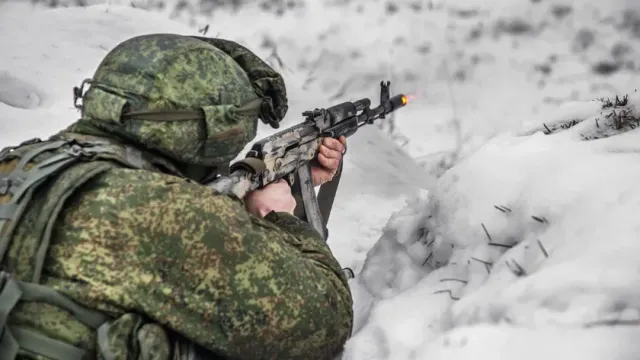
40 65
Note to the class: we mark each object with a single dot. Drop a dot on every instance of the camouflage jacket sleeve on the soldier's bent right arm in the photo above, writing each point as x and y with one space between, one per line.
199 264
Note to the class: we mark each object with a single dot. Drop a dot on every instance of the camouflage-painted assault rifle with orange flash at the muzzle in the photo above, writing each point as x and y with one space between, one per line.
288 155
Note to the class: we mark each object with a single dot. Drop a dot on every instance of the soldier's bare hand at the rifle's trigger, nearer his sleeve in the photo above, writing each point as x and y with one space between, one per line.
273 197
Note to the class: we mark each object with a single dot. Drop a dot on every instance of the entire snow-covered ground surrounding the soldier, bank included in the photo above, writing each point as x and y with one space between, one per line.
526 248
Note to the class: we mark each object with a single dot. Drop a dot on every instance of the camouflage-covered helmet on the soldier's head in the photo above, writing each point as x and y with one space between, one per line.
195 100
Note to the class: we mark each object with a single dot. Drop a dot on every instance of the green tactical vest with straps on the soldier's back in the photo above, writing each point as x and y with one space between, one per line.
36 178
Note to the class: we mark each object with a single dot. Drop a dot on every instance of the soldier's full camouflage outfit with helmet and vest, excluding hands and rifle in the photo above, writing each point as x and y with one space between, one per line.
114 249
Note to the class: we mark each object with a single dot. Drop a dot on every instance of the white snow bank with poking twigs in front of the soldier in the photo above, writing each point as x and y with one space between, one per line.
527 248
